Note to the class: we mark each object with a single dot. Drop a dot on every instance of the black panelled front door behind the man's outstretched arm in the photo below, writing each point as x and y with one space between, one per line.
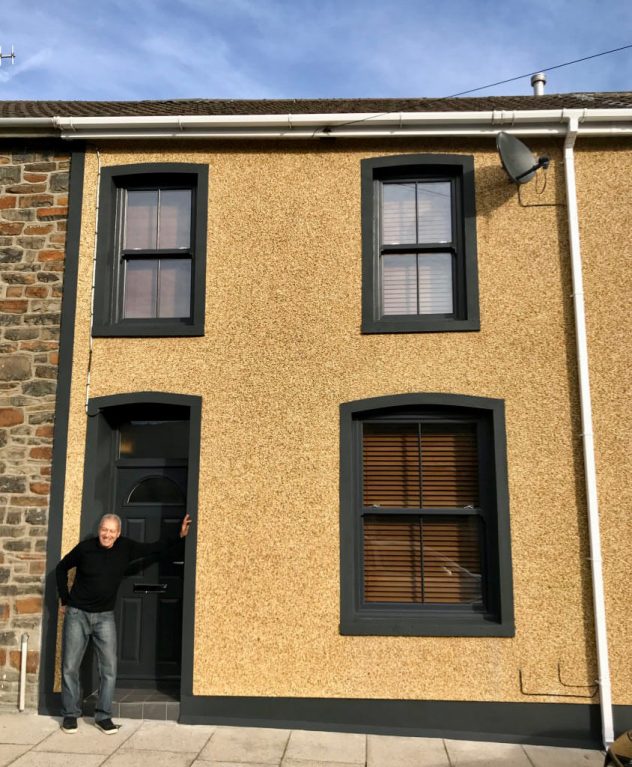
151 501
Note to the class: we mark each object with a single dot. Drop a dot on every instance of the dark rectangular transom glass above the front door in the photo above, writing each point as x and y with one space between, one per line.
154 439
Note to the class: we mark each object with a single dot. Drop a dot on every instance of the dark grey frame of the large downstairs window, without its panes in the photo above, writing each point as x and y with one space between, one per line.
359 618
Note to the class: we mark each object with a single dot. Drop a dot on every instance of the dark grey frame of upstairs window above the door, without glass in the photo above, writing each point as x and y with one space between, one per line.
107 301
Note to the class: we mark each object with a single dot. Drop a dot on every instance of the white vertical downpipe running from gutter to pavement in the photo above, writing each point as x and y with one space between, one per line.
605 690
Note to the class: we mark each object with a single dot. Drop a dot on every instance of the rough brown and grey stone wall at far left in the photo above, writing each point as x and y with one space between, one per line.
33 215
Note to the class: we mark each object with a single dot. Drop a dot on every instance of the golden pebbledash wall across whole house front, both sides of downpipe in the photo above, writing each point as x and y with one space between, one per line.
283 348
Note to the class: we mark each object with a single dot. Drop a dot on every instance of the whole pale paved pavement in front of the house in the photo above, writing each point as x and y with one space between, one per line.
29 740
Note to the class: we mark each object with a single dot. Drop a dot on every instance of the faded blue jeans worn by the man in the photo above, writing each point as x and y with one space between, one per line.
79 626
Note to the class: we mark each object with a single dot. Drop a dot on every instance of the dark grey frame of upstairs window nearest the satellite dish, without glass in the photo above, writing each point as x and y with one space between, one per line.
459 170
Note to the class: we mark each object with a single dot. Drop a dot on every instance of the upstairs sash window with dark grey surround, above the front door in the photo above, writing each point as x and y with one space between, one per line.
151 250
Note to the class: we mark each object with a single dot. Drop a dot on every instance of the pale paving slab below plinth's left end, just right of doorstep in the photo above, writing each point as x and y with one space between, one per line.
255 745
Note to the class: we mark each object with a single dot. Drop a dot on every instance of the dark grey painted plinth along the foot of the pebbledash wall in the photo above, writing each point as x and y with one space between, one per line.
552 724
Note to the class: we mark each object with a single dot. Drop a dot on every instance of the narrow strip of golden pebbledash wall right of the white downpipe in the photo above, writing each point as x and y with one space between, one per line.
604 169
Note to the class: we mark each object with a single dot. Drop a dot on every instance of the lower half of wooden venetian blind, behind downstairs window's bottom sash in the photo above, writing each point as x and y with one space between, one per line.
422 560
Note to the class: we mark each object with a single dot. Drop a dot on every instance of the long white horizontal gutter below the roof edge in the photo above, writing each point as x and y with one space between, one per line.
528 122
